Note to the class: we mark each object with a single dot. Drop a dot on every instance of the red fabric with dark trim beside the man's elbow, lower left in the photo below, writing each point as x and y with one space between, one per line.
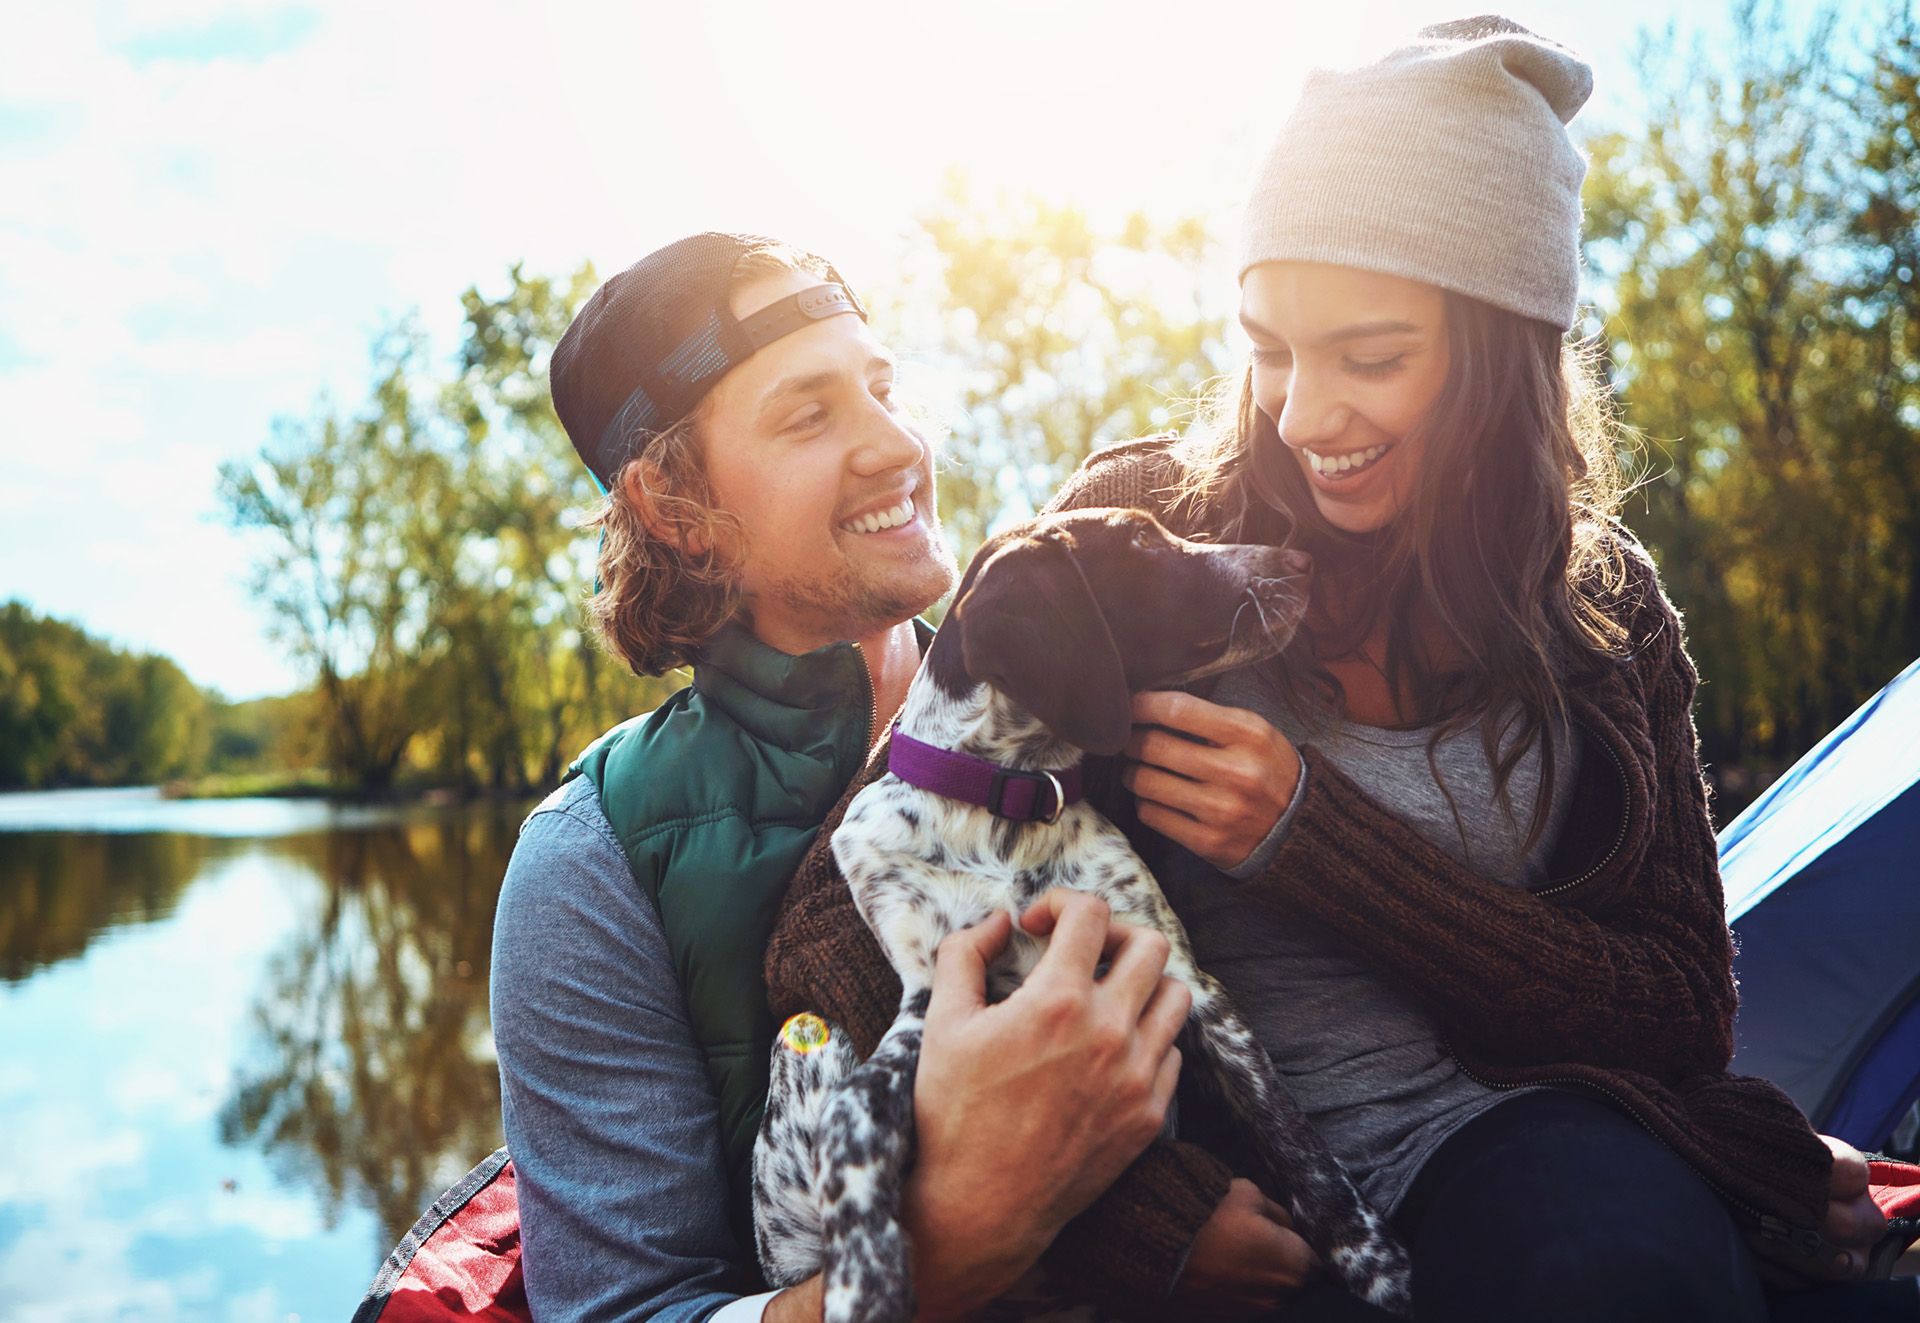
462 1261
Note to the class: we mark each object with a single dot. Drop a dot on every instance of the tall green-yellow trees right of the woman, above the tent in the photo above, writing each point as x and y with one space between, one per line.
1754 247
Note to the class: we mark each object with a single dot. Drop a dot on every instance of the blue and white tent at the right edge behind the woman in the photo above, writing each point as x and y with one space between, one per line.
1823 890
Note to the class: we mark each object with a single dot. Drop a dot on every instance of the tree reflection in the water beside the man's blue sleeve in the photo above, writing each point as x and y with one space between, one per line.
377 1082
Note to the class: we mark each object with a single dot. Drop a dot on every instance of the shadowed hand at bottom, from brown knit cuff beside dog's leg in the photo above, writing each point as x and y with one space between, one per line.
1245 1263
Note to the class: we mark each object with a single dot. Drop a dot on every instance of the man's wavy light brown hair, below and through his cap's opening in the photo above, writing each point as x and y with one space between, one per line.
669 562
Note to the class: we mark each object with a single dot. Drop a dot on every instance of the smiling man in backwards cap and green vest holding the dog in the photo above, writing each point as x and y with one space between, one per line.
771 521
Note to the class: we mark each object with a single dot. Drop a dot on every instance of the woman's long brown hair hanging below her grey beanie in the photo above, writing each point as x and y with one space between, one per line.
1500 550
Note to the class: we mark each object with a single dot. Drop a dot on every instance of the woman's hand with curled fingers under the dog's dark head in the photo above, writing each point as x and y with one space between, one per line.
1214 779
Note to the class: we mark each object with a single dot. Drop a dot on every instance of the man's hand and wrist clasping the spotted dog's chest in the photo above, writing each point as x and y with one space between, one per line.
1030 1109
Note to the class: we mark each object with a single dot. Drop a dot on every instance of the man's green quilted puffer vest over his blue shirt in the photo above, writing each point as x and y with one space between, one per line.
715 796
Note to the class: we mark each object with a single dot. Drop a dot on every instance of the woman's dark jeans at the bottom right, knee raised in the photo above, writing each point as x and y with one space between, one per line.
1556 1207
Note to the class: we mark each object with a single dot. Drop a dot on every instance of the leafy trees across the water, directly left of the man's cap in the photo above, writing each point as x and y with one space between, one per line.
423 560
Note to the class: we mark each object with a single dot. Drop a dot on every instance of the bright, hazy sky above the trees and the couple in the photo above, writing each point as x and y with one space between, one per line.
212 204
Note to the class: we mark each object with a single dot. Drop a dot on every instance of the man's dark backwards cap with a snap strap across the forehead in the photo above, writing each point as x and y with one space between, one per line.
656 339
